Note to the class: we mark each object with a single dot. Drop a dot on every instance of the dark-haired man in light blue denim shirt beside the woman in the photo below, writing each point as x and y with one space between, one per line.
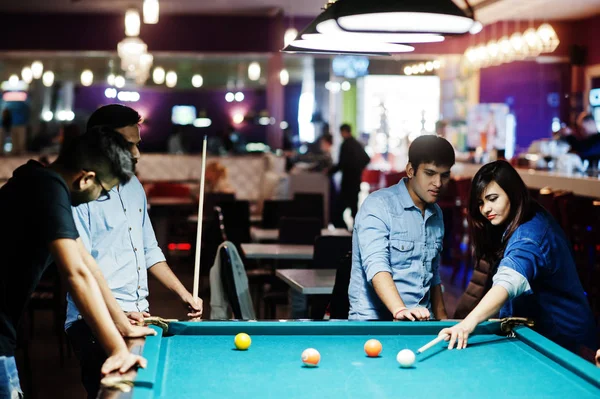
397 241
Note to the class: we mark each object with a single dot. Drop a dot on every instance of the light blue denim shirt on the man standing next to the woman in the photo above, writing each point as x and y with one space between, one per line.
392 235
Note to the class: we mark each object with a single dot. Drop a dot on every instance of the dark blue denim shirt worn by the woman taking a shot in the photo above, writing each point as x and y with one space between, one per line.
554 298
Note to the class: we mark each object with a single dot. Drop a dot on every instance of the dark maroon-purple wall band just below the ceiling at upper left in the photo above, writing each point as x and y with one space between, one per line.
102 32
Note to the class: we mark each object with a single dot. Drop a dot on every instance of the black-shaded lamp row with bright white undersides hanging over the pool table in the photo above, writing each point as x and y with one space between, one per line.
382 27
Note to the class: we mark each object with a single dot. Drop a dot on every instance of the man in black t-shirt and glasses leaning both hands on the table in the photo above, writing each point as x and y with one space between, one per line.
38 228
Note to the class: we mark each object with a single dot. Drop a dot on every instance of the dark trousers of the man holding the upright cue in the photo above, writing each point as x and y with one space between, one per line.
90 354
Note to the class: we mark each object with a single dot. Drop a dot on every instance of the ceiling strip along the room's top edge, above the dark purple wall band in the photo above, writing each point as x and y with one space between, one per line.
488 11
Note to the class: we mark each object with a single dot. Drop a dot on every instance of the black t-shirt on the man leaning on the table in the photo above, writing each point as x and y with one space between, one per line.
35 209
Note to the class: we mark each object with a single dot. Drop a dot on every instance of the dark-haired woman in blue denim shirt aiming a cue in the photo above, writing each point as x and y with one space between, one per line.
536 276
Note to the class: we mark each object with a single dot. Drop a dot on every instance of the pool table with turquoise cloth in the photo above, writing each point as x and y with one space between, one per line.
199 360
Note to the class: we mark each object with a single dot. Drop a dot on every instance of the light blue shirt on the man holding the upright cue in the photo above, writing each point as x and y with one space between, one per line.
119 235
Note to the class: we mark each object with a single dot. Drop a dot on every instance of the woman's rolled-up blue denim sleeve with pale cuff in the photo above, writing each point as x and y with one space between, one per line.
519 266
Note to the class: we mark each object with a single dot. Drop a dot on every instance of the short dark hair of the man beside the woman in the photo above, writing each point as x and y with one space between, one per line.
430 149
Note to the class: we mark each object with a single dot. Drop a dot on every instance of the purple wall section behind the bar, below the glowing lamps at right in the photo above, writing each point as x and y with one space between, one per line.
527 88
